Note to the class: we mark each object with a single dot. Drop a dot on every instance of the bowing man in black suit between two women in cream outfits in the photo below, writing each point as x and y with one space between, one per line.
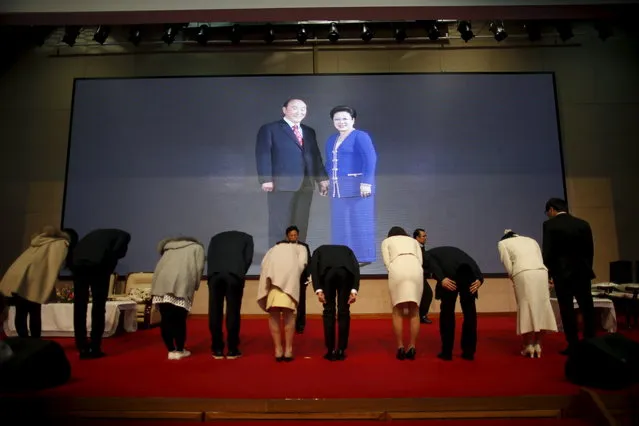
456 273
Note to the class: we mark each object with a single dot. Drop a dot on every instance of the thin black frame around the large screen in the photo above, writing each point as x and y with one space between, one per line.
369 276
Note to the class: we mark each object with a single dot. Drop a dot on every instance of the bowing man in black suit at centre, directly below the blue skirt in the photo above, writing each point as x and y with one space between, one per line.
335 272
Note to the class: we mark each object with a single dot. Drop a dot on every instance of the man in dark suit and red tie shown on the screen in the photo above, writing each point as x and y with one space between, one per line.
289 164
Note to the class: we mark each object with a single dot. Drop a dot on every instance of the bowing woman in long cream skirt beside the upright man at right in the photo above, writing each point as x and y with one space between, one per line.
524 264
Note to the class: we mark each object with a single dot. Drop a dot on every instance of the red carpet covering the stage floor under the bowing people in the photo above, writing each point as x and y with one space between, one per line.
136 366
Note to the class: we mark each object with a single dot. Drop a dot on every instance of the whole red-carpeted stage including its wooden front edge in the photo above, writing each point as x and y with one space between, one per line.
136 380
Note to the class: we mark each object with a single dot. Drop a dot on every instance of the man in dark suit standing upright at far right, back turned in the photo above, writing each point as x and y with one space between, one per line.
568 251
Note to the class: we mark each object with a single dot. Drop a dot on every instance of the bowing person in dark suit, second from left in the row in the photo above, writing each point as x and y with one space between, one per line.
92 263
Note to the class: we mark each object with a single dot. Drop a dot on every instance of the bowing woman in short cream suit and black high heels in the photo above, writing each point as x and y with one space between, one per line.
403 258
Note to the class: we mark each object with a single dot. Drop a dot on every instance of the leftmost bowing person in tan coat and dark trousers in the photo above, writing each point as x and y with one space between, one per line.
31 279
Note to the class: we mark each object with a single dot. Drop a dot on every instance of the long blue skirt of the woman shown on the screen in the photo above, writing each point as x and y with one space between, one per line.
353 225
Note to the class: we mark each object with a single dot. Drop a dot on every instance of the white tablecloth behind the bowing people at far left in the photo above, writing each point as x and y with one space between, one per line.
57 319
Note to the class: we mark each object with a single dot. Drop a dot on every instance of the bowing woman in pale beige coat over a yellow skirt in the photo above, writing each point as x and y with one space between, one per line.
278 293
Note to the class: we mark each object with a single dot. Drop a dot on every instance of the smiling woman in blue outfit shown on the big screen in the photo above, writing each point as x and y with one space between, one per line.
350 162
